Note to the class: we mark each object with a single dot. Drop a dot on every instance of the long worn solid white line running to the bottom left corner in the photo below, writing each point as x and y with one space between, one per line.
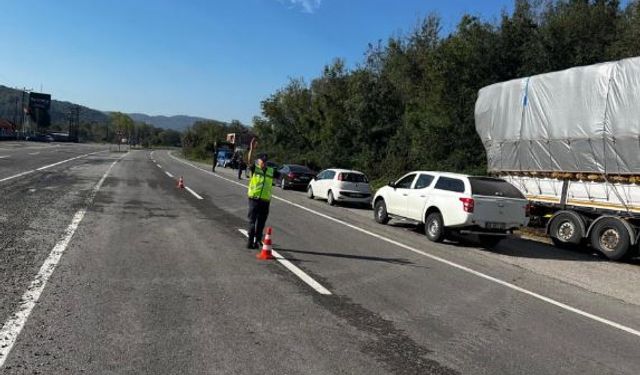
12 327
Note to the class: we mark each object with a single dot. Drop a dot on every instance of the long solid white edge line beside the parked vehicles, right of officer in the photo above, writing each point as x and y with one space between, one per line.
436 258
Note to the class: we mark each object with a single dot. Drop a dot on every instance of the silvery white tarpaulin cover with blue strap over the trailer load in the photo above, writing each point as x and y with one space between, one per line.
584 119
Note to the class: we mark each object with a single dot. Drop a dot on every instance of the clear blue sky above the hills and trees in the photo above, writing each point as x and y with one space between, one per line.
211 58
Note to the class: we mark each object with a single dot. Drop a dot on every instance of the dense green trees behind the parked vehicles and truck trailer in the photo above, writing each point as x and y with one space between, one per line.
410 103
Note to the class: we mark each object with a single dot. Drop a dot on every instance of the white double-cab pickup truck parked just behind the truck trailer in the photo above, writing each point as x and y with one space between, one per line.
446 202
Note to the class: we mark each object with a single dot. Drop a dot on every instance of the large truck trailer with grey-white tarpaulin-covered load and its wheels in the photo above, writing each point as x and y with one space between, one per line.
570 142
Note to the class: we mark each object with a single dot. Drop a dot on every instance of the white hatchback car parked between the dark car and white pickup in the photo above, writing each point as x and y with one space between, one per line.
340 185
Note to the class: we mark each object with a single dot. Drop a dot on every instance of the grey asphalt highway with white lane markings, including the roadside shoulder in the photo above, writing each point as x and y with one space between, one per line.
107 267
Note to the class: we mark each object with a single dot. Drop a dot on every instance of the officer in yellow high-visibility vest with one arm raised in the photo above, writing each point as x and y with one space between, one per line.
259 193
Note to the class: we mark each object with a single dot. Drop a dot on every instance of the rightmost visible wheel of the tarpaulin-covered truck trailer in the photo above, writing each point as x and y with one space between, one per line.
611 237
